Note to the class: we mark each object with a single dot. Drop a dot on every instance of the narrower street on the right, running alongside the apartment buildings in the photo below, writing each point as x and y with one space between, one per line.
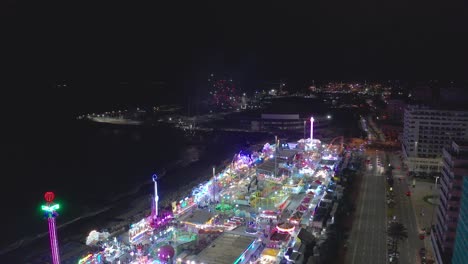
405 214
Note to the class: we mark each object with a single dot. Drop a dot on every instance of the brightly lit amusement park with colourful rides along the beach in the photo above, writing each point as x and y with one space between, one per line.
258 209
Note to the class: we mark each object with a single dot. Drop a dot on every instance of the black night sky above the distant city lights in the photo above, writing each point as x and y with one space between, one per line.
95 44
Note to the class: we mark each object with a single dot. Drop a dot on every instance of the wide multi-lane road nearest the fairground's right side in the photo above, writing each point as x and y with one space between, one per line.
367 240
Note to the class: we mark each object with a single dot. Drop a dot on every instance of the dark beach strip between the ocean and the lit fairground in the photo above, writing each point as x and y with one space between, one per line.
125 210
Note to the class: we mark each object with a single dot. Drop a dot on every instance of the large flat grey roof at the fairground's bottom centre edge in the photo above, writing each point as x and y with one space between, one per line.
225 249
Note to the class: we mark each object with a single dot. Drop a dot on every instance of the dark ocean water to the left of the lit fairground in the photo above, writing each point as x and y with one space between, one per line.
92 165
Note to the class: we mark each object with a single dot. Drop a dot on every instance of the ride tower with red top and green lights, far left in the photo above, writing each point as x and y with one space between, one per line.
50 212
